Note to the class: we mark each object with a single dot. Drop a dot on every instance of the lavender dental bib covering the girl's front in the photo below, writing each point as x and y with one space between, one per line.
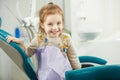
52 64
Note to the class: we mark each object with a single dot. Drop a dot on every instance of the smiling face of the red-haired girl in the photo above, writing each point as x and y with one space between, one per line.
53 25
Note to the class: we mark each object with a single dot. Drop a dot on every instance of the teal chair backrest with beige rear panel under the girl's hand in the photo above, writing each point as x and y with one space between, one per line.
20 57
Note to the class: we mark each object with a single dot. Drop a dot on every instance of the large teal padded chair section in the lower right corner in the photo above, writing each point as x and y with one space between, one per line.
106 72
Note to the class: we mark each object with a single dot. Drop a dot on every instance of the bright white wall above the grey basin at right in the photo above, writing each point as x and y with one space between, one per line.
101 15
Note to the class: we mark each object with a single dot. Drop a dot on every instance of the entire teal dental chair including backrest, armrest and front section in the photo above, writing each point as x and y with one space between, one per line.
88 71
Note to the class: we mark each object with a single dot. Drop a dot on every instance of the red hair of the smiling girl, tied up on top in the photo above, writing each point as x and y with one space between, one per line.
46 10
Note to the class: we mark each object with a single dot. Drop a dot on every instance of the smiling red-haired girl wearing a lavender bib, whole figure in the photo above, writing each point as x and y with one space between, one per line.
52 46
